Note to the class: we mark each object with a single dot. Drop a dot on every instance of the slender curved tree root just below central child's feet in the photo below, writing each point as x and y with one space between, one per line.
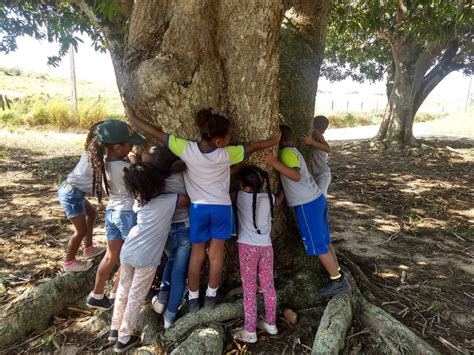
221 313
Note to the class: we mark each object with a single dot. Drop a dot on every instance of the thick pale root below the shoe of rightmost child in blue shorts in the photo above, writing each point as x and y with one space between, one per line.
337 318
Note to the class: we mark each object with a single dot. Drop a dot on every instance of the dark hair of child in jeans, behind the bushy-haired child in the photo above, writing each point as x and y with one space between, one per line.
163 160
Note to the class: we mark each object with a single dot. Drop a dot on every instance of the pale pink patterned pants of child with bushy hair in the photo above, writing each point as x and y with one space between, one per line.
133 288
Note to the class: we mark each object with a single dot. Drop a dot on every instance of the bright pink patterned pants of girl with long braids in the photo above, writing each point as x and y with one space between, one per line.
257 260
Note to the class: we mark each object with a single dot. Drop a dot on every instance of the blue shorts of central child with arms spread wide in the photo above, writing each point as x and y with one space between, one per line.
209 222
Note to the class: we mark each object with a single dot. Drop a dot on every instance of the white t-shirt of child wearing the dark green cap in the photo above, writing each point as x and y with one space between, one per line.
119 198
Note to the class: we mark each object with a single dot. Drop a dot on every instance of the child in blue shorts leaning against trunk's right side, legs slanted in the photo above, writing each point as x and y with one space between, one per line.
309 203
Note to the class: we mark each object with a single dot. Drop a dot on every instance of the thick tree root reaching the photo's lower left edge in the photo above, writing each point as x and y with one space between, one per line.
33 310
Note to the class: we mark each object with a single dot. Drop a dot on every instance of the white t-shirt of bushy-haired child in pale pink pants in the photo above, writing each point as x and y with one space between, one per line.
146 241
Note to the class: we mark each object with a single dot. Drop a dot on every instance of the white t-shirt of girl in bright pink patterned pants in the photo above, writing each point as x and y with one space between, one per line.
263 218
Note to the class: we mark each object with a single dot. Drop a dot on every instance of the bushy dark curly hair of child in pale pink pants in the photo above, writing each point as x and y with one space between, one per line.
143 182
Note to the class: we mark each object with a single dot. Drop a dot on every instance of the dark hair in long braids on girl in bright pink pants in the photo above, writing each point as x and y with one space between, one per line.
254 177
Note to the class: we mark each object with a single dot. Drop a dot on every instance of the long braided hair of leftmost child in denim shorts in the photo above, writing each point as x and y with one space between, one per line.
96 152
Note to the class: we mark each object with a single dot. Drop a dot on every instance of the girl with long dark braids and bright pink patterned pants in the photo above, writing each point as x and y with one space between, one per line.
254 220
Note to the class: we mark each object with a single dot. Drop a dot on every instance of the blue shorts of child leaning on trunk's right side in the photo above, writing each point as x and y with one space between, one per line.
313 222
